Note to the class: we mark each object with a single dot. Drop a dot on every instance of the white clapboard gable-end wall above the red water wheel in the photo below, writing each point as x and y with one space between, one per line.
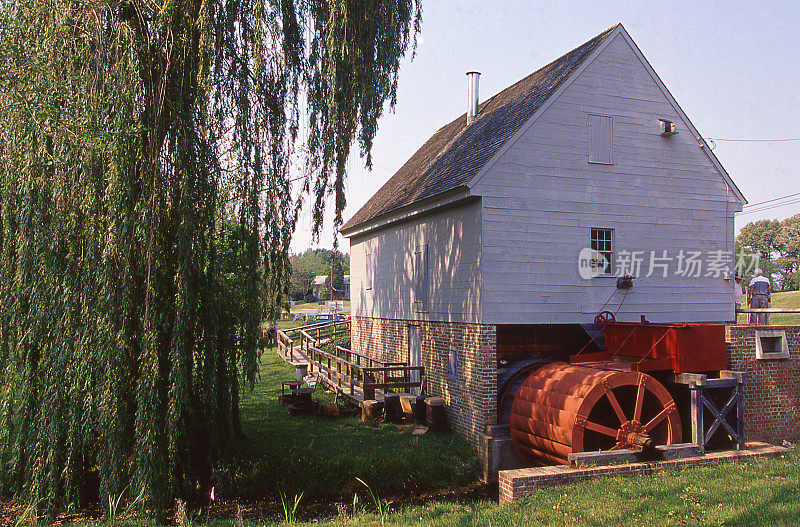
541 198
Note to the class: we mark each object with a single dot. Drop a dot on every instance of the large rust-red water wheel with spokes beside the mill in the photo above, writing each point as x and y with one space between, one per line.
563 408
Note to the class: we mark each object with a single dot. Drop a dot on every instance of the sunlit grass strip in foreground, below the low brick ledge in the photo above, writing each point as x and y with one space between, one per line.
762 492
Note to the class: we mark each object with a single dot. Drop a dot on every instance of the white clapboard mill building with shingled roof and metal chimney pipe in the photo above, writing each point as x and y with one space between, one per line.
468 257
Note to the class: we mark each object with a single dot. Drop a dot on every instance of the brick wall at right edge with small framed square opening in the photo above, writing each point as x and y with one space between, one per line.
772 389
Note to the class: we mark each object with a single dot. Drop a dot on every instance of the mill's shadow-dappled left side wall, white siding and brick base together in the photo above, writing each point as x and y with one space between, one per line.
451 242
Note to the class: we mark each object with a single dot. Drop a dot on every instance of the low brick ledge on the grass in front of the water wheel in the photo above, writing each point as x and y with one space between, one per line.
515 484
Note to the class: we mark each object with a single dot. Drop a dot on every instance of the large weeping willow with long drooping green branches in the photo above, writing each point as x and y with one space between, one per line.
131 134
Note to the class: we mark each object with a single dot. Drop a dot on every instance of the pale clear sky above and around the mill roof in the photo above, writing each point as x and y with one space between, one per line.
734 68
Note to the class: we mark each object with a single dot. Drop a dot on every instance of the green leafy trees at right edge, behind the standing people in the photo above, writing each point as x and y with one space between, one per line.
777 244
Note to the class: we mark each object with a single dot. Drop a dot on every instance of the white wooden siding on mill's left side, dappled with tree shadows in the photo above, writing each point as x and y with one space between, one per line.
447 242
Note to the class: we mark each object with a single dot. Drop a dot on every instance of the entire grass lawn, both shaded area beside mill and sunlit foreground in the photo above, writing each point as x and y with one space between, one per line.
322 457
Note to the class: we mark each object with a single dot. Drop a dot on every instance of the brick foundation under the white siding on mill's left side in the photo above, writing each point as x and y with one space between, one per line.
470 396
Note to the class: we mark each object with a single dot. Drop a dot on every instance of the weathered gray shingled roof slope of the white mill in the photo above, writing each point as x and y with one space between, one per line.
456 152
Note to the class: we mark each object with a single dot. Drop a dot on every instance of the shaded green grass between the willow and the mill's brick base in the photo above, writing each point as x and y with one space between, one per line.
321 457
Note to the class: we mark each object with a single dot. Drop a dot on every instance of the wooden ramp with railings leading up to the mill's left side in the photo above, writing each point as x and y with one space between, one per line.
352 375
